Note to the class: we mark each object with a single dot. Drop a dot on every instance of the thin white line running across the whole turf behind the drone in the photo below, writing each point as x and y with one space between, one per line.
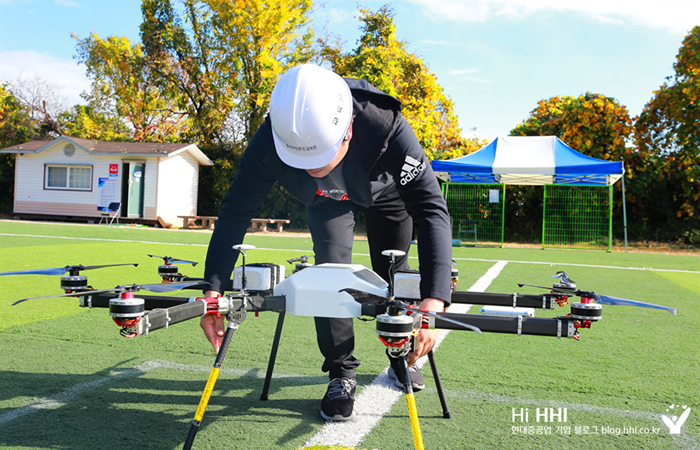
545 263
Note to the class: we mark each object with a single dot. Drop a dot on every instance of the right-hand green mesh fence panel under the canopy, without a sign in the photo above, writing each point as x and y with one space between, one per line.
577 217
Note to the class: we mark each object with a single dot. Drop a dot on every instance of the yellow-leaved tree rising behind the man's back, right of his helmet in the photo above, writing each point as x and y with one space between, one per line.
382 59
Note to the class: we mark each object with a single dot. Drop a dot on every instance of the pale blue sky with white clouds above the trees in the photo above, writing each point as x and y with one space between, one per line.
494 58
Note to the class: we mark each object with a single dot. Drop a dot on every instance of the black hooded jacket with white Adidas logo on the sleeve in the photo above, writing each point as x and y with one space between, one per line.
384 155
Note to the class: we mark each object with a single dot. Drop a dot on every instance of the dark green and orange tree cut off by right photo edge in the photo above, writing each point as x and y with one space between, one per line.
667 135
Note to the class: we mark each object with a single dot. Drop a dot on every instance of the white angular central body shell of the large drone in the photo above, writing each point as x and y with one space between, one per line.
315 291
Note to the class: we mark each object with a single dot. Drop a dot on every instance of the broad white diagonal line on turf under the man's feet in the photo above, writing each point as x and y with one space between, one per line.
376 399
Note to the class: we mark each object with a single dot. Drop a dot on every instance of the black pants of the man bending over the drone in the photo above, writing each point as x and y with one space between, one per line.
389 227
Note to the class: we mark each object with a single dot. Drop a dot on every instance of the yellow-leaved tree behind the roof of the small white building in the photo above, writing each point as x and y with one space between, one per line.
122 81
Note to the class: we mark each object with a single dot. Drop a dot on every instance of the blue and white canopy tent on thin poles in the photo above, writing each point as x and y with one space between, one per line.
531 160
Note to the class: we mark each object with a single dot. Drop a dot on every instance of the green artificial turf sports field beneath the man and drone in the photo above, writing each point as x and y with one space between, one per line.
68 380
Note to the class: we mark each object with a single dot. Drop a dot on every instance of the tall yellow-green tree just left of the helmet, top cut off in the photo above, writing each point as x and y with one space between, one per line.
223 57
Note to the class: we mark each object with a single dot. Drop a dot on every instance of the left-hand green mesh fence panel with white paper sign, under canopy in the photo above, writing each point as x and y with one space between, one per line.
477 212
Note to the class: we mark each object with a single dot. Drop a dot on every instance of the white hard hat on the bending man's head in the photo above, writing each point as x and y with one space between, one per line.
311 110
